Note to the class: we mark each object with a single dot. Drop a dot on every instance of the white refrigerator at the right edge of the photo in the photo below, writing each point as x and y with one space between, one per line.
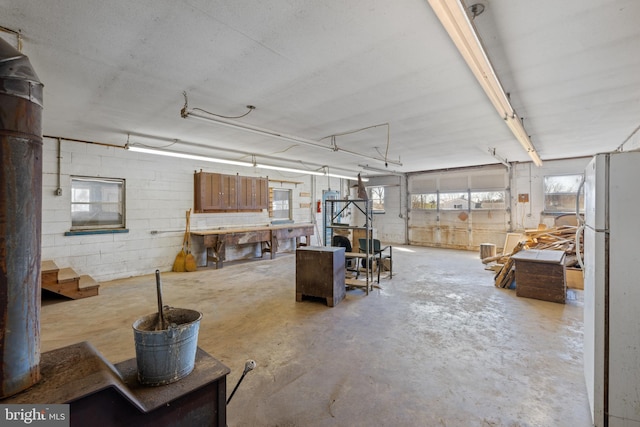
612 288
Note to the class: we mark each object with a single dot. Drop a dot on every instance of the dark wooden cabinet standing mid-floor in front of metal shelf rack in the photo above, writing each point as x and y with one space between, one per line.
320 272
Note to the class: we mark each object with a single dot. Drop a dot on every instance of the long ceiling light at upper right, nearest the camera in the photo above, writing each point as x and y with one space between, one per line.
455 20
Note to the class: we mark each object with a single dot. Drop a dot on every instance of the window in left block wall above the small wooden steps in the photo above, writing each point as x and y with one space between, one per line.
97 203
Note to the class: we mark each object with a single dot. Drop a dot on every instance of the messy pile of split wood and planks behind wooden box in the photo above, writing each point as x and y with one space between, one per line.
557 238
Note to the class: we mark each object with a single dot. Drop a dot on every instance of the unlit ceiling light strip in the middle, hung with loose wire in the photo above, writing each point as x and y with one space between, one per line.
186 113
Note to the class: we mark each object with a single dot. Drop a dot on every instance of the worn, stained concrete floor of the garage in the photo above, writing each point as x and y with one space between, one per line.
437 345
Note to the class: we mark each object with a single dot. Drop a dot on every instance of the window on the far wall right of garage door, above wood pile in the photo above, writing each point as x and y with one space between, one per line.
560 192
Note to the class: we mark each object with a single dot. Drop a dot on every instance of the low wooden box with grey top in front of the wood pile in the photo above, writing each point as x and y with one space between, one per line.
540 274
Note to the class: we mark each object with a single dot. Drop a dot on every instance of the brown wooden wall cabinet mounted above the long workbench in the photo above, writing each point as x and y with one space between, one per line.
215 192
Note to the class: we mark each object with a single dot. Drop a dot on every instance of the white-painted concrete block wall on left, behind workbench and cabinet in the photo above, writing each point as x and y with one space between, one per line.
159 191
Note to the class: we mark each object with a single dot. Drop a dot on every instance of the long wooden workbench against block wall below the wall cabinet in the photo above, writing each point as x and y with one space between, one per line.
216 241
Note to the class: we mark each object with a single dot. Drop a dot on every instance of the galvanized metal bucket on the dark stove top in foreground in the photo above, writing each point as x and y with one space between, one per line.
165 356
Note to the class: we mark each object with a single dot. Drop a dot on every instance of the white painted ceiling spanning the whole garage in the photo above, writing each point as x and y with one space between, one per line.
319 68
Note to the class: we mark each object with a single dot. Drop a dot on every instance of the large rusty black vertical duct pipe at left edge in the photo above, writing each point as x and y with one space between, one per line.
20 221
